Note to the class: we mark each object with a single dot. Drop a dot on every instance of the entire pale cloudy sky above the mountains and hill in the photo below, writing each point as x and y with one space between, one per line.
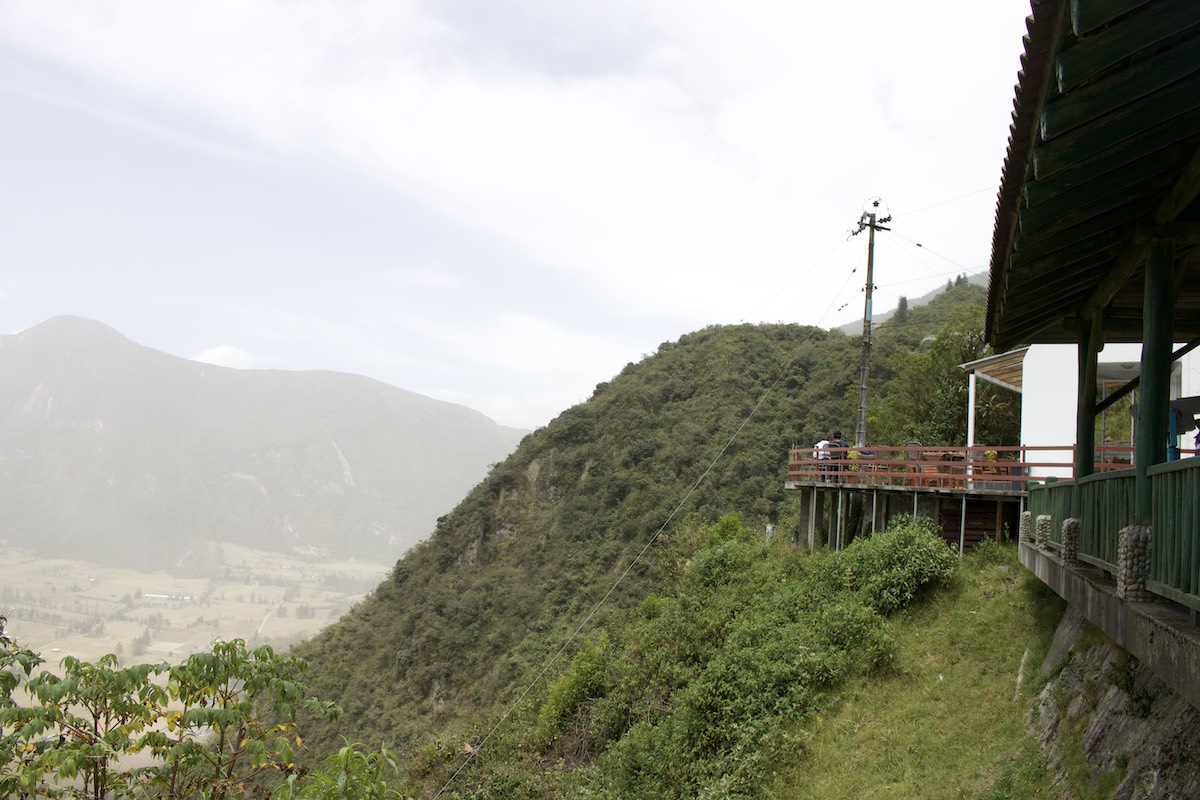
495 203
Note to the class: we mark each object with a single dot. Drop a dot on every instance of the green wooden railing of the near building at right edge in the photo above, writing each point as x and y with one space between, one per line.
1107 503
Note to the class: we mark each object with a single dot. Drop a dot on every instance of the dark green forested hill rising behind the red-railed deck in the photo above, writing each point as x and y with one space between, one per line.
471 616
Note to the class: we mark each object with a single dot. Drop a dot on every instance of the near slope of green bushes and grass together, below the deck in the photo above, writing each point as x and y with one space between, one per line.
883 671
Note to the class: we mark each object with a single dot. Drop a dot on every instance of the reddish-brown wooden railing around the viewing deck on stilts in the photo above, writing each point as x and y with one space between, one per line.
977 468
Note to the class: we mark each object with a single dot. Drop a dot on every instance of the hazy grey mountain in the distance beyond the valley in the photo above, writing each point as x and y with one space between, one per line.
117 453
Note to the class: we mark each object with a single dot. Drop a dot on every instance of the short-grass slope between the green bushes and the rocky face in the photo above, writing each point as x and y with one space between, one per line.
949 721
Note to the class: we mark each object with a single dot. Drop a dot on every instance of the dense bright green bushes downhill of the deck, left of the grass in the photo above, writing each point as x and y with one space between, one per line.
712 678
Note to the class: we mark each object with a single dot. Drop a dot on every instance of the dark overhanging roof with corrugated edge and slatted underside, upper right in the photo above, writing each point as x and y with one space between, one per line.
1103 157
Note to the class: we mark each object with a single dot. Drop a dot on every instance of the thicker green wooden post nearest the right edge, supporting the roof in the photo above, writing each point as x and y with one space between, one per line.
1159 314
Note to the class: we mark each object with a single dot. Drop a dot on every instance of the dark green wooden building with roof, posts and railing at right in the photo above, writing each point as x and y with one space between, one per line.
1097 227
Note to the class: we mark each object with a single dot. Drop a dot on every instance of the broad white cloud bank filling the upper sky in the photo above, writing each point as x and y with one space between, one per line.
655 155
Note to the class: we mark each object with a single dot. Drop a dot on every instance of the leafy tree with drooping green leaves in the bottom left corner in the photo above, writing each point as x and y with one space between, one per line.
224 719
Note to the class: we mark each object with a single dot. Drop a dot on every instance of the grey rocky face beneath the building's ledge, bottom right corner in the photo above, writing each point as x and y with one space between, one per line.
1132 730
